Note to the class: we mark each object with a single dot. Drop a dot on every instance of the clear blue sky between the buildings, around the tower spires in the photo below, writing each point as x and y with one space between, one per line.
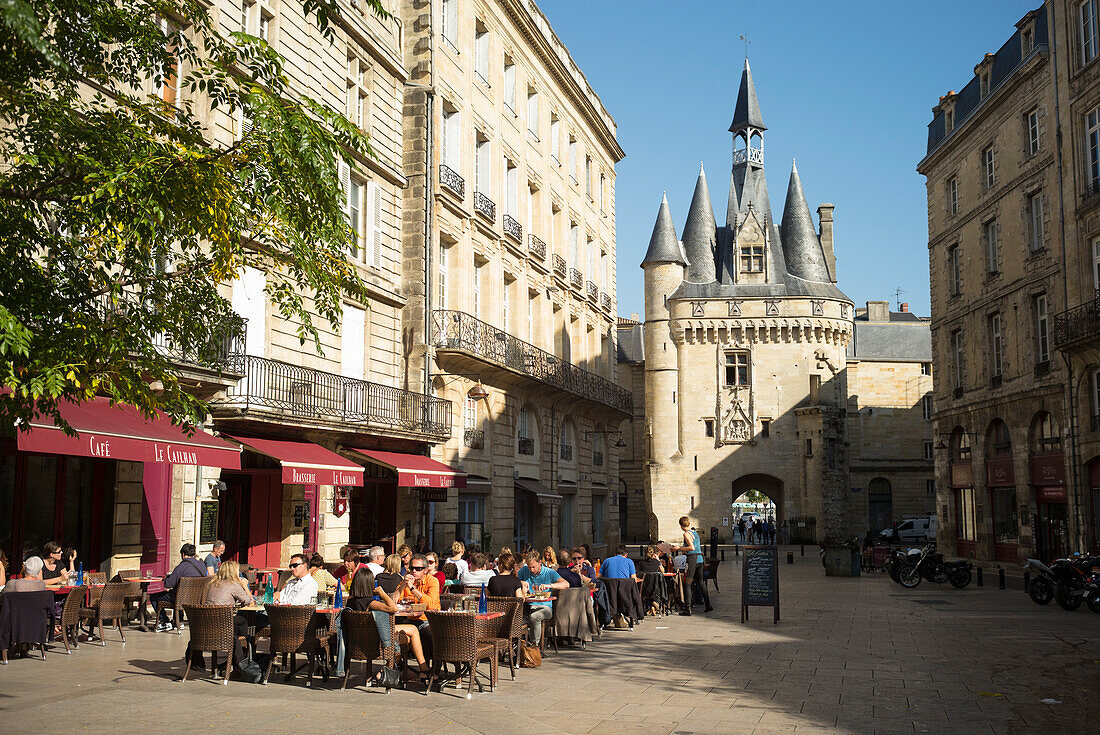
848 89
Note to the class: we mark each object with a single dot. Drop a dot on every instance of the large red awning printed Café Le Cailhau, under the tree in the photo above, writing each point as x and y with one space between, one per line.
122 433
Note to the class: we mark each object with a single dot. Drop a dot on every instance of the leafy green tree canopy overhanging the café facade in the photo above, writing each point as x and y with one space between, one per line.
120 217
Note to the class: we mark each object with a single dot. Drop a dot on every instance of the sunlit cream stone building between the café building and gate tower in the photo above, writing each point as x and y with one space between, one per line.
510 275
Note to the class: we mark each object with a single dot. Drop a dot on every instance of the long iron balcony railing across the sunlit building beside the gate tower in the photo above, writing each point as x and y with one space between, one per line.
457 331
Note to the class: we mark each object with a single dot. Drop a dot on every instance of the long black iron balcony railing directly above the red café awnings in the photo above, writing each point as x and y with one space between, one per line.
303 393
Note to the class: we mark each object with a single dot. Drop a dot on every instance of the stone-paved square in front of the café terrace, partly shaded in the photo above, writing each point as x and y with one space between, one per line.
849 656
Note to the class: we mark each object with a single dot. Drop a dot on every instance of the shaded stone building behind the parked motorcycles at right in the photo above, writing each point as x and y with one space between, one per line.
1014 293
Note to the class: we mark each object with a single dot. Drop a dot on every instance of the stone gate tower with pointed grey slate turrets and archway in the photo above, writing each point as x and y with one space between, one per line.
746 334
